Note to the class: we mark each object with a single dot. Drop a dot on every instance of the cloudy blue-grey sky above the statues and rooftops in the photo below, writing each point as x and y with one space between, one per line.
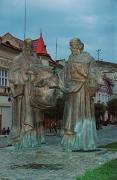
93 21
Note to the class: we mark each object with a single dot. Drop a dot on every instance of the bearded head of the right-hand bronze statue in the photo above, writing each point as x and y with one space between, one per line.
76 46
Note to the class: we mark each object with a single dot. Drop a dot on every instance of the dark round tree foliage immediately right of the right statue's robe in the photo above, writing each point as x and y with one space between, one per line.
100 109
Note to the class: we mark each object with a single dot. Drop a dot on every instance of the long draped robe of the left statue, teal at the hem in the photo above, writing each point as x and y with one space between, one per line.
23 133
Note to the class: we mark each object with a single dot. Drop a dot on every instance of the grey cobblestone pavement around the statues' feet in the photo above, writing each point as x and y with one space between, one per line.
50 162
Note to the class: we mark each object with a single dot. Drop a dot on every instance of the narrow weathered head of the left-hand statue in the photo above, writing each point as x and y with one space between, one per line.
28 46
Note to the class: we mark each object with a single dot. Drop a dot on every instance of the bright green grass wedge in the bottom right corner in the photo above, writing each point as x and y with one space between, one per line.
107 171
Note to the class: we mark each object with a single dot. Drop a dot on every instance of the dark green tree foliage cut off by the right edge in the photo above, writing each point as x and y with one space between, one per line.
112 106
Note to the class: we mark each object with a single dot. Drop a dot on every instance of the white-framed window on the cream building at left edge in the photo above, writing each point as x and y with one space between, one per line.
3 77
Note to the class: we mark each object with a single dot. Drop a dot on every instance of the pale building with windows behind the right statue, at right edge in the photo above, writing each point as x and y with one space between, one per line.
108 90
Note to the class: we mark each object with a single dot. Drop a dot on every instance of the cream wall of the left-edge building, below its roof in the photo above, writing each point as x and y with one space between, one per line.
6 57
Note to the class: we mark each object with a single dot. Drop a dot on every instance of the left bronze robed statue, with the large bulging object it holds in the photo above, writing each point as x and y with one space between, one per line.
33 90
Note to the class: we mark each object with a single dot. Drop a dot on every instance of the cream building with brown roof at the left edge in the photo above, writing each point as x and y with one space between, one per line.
9 48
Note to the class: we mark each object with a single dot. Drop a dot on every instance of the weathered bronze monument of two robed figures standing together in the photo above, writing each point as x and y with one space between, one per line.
33 88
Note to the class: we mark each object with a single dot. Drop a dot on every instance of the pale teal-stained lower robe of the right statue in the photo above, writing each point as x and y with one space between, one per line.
83 138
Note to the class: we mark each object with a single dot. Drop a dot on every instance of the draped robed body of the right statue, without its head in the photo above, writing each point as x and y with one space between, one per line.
79 84
